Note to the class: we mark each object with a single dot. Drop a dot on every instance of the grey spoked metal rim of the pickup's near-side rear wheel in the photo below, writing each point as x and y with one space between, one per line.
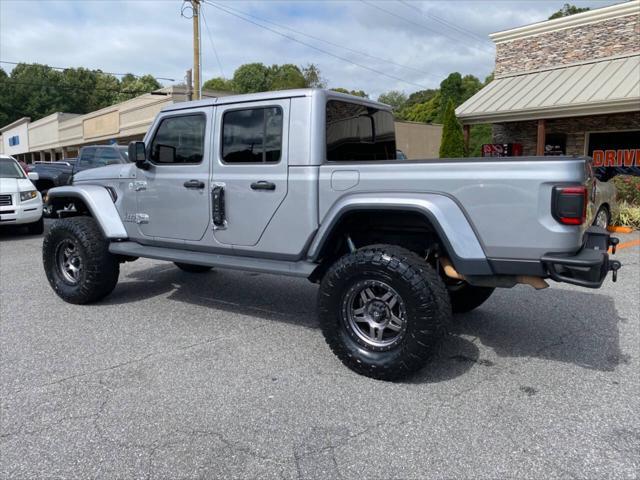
375 313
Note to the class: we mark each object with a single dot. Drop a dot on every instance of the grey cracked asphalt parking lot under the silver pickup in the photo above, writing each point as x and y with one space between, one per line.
226 375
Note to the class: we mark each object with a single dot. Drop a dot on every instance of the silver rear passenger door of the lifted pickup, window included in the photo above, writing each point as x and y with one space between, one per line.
250 163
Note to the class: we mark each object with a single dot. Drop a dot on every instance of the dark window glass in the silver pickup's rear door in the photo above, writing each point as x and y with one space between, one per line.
252 135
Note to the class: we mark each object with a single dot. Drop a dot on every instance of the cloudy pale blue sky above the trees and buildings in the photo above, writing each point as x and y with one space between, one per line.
405 45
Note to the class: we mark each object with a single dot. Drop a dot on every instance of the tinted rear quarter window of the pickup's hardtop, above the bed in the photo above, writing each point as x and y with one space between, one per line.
358 132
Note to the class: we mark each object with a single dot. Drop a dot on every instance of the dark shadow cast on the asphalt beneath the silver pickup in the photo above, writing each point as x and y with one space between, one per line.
575 327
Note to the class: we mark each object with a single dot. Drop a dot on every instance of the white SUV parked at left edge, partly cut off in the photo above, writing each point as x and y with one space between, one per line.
20 202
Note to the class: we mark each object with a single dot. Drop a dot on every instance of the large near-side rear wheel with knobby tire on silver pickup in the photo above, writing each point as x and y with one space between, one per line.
404 291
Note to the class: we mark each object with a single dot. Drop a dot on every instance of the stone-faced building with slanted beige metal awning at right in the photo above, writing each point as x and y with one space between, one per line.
565 86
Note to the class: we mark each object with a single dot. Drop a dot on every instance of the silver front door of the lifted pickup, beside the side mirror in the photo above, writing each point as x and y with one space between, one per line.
173 194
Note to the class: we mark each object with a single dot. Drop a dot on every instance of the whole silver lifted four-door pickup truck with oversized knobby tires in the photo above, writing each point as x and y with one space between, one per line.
306 183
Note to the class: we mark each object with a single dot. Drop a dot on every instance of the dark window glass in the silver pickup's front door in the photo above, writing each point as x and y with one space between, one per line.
179 140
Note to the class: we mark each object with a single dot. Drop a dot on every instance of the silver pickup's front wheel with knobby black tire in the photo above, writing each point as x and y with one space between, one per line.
77 261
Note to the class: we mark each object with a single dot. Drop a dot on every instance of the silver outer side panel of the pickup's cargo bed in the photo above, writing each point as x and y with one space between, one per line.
507 201
